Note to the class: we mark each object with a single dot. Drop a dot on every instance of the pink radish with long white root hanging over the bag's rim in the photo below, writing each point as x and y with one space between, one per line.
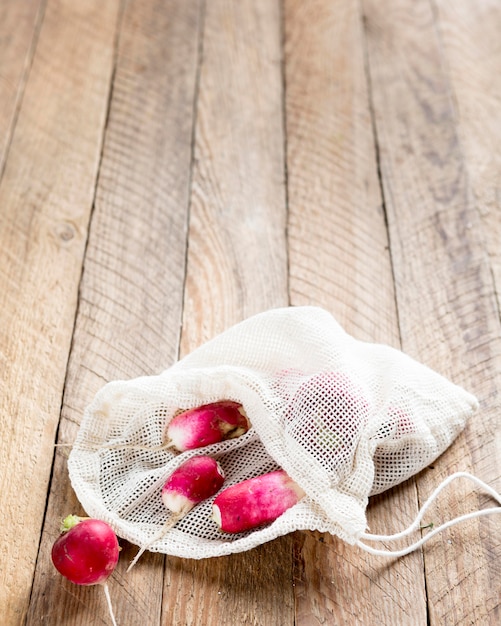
192 482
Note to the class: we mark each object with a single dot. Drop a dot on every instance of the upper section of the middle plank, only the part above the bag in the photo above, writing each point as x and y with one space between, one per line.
237 255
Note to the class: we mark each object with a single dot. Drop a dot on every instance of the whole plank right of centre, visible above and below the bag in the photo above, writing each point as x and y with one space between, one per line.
339 259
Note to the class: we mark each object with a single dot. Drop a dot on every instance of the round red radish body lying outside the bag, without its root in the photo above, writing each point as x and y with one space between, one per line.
86 552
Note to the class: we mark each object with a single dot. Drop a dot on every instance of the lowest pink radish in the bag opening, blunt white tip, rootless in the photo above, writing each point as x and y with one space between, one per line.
255 502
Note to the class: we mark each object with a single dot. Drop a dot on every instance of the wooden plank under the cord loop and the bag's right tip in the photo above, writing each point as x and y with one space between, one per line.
447 309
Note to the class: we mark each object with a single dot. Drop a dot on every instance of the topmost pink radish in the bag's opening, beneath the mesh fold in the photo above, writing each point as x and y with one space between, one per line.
206 424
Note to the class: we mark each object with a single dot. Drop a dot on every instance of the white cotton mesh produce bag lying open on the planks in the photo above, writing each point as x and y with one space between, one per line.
344 418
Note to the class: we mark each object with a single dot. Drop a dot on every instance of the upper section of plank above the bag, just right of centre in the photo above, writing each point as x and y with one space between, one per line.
338 242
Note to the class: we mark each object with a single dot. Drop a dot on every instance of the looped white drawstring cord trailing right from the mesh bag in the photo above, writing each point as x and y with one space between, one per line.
416 523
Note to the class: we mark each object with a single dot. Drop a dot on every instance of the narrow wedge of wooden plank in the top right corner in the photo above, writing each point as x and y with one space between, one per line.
470 38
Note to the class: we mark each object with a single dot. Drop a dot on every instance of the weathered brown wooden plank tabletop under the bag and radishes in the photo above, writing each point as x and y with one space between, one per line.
171 167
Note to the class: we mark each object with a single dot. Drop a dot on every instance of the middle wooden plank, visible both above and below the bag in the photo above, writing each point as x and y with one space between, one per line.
237 266
